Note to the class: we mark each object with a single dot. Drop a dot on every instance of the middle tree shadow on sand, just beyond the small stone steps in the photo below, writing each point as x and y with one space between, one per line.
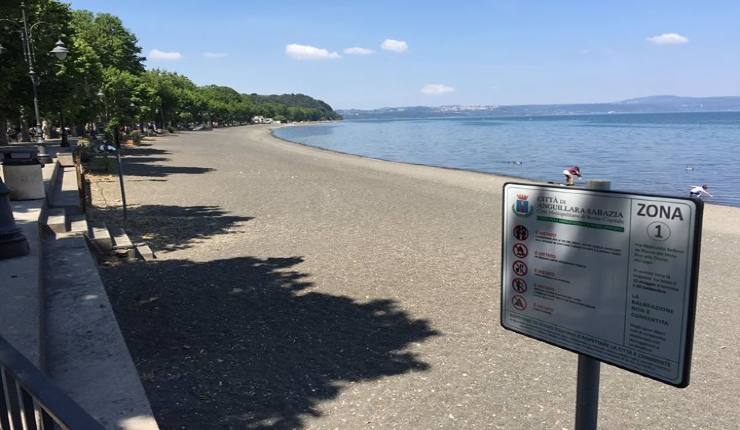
170 228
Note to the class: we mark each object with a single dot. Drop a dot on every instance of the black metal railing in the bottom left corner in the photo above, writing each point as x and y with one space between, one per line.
30 401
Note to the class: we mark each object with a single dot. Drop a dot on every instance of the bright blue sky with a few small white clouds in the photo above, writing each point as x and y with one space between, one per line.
371 54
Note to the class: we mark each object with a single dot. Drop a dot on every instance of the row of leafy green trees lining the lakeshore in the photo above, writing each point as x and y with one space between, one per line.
104 80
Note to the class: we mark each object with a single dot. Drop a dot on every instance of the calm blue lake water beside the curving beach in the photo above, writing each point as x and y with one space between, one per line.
651 153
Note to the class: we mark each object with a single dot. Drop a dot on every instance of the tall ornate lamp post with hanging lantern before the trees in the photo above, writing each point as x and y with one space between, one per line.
59 51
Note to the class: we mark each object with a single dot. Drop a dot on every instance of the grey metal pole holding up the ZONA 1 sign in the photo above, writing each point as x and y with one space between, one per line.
589 369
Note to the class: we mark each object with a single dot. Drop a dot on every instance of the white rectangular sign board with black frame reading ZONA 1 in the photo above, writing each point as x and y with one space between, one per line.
606 274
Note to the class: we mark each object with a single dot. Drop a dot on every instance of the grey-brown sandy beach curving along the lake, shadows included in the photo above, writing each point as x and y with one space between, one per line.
296 287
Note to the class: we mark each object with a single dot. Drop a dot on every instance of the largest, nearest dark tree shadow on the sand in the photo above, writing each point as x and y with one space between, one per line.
244 343
